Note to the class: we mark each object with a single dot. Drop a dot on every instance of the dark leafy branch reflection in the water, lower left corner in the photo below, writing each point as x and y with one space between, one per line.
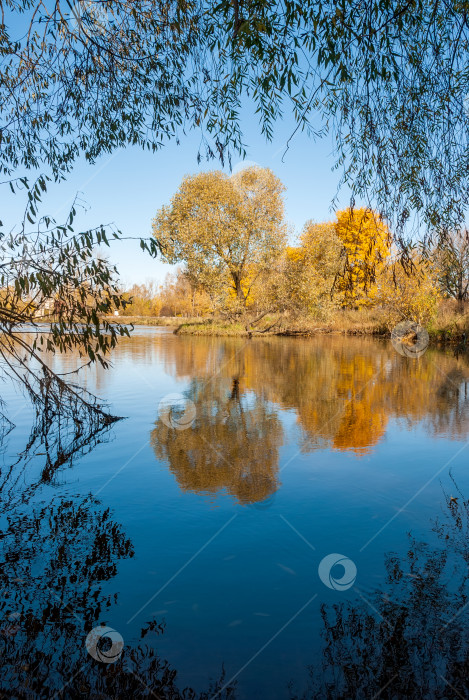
56 555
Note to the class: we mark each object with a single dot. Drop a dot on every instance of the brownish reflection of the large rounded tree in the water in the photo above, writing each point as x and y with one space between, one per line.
233 444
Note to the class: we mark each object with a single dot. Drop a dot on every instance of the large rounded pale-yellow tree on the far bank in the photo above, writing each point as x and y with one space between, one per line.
228 230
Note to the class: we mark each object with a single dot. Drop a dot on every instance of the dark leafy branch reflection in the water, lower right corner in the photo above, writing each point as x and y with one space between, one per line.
411 639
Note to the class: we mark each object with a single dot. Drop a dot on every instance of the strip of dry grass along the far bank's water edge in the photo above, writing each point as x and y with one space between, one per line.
450 325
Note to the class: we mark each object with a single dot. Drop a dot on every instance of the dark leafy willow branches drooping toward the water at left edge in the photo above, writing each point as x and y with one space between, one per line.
54 291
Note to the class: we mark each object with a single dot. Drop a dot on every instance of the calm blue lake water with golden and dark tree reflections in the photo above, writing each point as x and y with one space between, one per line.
195 527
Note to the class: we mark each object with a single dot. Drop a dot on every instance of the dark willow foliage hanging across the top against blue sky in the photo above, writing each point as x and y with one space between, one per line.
85 78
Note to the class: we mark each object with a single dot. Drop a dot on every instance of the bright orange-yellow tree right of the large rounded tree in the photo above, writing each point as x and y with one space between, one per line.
367 243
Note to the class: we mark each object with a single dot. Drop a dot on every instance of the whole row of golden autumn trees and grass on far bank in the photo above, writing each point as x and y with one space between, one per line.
245 274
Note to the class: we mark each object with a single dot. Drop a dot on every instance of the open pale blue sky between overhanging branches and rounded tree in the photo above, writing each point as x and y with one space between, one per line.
127 187
